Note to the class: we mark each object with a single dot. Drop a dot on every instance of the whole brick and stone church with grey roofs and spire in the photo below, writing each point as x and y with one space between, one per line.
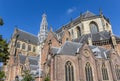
84 49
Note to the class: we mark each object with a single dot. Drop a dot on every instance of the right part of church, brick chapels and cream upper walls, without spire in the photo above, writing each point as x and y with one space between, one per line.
83 50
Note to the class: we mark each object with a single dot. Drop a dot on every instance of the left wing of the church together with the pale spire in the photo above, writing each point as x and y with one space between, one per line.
24 49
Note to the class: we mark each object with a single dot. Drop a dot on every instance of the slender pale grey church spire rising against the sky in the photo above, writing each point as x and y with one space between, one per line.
43 29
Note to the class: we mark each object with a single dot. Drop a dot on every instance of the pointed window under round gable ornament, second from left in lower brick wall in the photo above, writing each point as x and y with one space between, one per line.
88 71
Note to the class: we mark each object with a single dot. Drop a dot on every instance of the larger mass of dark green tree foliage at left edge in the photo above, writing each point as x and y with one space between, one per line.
4 54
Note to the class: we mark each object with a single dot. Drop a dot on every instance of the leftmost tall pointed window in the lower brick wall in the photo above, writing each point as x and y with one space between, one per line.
69 71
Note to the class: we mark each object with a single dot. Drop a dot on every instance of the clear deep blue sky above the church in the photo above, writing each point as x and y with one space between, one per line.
26 14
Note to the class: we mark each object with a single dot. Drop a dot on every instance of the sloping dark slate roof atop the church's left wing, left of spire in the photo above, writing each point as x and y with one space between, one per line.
26 37
